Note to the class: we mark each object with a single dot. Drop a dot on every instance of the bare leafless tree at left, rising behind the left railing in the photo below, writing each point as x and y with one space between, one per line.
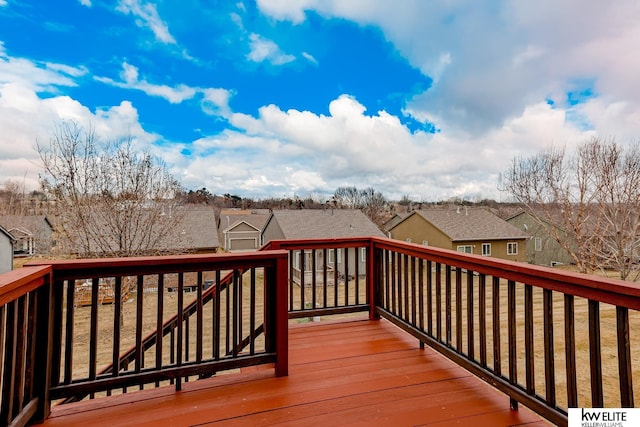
110 200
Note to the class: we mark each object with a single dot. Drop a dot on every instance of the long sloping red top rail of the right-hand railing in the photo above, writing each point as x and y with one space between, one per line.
600 288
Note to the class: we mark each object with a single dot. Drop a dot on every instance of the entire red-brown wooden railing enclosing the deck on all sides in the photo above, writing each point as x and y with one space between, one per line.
549 339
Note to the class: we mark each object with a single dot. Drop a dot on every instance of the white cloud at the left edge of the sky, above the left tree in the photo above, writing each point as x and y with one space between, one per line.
27 118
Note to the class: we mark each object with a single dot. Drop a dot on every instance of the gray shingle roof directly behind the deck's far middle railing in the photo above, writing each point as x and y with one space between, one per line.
324 223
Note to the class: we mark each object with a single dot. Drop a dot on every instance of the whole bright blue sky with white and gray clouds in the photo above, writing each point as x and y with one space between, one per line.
281 98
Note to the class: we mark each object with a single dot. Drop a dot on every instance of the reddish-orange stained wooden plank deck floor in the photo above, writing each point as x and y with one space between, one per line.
352 372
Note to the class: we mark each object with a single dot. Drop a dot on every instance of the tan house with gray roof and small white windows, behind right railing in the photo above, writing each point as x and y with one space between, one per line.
463 229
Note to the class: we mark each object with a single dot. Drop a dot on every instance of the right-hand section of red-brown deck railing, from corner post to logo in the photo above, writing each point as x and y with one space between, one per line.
535 333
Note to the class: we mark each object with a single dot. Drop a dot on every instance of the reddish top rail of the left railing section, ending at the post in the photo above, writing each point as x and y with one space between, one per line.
81 268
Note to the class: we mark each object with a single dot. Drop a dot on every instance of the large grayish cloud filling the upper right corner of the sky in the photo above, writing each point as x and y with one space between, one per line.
491 63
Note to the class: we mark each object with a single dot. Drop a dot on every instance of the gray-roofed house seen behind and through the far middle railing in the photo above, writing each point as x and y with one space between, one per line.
322 224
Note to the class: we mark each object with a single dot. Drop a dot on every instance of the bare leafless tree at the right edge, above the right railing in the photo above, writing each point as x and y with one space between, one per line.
588 202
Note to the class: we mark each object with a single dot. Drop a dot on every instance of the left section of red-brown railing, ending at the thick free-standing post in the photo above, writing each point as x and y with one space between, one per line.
149 335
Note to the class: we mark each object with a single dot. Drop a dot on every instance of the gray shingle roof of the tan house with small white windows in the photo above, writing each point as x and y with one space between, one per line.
471 224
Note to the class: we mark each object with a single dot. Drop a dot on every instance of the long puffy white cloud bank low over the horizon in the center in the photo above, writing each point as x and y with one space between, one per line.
286 152
